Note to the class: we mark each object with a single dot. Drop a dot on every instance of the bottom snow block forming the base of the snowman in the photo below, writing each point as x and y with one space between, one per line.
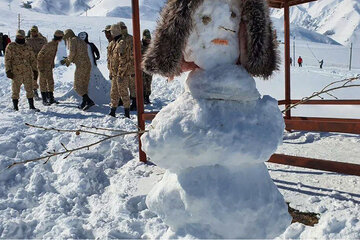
216 197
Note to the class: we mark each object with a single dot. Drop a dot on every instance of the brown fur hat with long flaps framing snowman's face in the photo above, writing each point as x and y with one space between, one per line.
165 52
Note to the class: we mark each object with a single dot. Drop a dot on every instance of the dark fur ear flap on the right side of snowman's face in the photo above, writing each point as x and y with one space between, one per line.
258 45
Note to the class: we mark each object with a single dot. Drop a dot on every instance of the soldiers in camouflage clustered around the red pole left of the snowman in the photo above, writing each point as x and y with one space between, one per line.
121 68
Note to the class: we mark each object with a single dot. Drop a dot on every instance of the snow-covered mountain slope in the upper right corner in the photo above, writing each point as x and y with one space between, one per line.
338 19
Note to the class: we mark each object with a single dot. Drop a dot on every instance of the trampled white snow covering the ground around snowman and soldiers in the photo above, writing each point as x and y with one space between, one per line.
100 192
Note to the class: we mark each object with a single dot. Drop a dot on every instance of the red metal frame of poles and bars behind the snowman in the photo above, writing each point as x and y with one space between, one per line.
292 123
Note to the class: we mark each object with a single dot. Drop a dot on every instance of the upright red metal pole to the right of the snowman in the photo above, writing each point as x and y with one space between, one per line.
287 57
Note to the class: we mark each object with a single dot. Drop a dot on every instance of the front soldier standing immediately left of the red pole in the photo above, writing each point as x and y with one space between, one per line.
117 63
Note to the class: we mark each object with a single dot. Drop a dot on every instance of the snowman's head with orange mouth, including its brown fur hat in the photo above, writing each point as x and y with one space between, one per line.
210 33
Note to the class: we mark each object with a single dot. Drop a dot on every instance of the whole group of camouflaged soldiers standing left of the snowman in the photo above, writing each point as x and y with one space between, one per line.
31 58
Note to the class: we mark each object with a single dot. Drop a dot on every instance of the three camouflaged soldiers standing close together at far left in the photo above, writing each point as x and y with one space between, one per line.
30 58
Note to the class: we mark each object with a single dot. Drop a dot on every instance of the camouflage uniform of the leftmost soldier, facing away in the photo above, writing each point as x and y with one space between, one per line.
21 61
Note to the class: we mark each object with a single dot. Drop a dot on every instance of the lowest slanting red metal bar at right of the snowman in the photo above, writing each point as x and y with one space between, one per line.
318 164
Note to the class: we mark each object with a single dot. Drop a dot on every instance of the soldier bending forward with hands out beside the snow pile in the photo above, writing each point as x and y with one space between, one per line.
79 55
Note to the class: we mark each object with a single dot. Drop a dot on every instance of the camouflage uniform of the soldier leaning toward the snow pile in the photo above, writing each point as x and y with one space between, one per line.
79 55
